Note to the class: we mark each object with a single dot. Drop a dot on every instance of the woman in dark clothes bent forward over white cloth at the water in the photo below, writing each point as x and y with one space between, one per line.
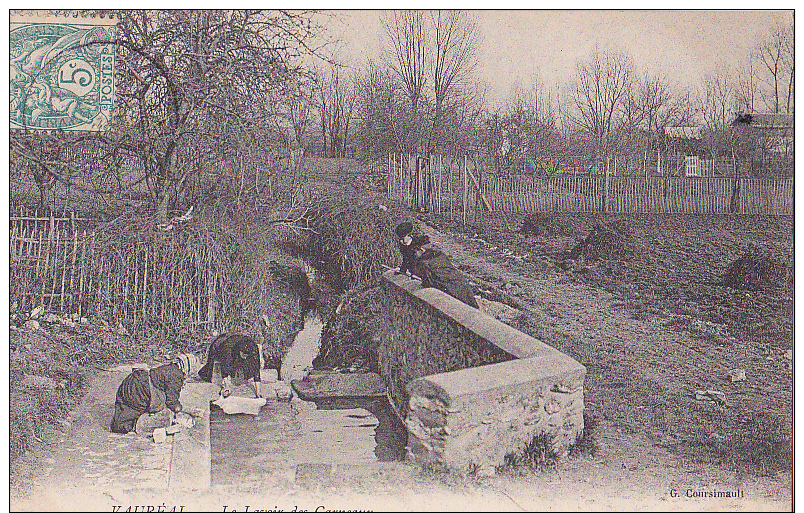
238 357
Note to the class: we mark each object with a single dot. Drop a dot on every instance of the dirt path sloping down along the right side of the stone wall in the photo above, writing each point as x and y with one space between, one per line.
641 373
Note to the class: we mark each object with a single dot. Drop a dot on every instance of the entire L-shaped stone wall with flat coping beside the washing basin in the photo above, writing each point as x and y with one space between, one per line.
471 388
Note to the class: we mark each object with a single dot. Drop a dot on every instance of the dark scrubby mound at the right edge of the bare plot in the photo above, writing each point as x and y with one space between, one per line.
759 269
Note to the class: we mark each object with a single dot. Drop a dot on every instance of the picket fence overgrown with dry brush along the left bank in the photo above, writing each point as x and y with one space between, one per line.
200 276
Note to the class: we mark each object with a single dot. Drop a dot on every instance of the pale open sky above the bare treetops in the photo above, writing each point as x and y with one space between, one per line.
522 45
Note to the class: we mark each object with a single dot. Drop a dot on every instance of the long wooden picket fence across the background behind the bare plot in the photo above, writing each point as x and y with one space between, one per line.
441 184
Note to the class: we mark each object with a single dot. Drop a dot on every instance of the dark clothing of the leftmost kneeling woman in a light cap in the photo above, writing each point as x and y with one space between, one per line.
146 392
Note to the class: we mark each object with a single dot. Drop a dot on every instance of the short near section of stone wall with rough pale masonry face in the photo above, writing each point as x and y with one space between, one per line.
474 417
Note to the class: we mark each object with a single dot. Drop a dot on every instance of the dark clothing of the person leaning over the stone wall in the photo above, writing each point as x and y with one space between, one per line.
435 269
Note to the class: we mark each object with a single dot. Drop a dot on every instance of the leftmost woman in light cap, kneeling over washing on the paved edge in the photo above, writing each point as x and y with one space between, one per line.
148 399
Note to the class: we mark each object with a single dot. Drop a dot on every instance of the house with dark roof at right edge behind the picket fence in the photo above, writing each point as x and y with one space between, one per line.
766 143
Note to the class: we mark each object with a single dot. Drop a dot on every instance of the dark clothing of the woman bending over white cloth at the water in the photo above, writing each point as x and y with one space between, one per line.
226 349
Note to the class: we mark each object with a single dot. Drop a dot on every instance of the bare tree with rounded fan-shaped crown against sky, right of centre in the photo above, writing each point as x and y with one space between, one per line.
599 95
